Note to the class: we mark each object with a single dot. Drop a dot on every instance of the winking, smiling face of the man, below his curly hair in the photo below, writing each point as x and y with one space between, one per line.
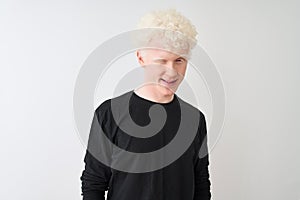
164 70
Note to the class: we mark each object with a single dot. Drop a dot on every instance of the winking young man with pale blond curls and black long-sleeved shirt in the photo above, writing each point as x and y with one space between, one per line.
184 178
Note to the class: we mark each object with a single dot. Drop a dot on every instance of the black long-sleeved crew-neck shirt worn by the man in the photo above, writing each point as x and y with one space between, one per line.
185 178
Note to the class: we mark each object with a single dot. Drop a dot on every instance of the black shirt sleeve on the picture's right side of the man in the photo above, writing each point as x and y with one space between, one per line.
202 182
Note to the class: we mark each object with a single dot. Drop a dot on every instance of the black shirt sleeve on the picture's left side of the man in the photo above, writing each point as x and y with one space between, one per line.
96 175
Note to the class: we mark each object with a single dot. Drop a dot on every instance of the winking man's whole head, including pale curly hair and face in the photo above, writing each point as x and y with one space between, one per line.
167 41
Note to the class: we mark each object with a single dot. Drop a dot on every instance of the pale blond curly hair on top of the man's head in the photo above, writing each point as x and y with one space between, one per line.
167 29
